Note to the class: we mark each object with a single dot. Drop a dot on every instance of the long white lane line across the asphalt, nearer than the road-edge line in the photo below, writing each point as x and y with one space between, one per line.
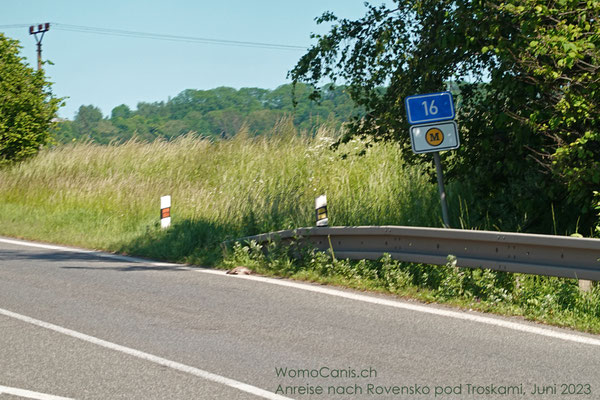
148 357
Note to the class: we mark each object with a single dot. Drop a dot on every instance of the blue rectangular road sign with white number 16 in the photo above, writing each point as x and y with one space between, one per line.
430 107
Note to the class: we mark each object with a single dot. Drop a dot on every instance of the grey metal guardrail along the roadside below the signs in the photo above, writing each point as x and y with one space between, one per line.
559 256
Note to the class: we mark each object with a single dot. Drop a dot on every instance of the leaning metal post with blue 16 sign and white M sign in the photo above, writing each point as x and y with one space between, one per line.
436 131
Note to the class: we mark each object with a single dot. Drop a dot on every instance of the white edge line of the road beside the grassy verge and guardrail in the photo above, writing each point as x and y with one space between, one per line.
535 330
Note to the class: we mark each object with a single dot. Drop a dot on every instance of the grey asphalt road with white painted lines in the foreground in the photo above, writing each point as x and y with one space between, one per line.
82 326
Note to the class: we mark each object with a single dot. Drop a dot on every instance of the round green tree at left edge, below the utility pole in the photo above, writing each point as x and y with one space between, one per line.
27 106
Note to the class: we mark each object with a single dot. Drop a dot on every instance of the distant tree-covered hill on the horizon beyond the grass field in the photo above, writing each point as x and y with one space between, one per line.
219 112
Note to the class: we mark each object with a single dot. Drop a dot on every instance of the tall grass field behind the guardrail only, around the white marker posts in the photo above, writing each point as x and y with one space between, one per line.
108 197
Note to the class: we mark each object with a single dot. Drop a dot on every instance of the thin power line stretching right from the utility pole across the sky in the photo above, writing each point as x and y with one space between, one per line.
176 38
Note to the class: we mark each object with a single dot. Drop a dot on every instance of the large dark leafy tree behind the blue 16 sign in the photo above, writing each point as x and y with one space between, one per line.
526 75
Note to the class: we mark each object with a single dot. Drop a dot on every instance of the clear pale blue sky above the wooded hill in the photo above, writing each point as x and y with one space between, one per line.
108 70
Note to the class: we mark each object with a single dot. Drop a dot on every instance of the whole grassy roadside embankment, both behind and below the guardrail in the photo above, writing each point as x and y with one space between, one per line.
107 197
